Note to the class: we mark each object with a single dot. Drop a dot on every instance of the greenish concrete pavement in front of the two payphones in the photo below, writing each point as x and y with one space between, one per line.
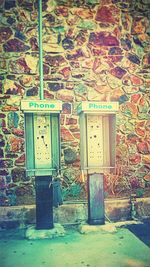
96 249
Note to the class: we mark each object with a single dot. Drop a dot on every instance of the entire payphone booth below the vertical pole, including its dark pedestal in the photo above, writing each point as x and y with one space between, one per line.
42 139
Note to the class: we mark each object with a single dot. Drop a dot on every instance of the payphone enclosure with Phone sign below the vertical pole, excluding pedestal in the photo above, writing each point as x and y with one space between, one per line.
42 137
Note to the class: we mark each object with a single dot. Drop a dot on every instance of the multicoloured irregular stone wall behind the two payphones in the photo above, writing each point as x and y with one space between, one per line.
94 50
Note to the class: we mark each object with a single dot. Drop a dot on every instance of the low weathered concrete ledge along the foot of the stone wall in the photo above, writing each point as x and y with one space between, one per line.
75 213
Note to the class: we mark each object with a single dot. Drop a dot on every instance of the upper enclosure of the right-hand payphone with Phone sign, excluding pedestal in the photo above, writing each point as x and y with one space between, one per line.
97 126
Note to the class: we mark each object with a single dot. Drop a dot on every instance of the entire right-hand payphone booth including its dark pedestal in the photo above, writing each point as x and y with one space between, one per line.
97 151
